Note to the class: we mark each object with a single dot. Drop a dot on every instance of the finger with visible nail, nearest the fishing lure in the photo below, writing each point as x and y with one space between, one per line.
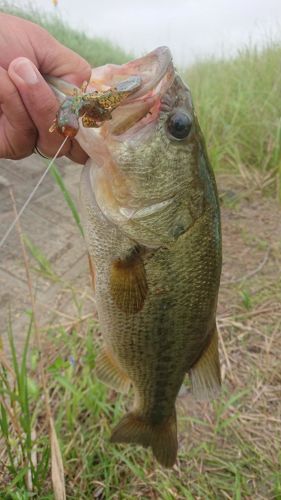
40 103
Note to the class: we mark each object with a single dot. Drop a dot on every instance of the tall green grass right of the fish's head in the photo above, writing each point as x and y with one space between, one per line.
239 108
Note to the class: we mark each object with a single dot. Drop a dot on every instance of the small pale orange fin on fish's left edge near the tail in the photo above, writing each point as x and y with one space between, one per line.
109 371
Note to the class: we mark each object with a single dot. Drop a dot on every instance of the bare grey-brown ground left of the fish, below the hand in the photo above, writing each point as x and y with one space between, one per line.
49 225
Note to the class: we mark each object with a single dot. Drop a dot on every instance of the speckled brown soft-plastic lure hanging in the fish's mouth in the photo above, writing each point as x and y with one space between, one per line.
93 107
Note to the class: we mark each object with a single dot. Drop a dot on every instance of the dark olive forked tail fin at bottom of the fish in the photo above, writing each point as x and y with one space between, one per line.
161 437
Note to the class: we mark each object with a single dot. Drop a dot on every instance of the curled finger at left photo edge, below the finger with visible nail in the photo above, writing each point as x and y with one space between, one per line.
17 131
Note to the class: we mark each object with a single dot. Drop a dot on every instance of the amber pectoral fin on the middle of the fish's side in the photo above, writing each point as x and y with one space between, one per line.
128 283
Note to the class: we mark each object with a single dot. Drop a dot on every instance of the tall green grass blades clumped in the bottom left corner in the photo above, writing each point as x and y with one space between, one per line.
19 398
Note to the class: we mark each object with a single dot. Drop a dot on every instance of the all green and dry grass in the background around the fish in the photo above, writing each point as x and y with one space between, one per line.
229 448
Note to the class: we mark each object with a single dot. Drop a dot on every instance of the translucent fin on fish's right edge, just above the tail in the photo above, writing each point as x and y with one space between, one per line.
205 374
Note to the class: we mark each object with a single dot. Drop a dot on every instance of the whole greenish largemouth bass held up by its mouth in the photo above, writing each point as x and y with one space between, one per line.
151 218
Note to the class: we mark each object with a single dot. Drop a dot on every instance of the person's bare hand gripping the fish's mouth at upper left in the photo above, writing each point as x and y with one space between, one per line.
27 104
